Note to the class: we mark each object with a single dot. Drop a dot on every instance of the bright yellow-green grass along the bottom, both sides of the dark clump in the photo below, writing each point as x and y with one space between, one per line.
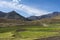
27 35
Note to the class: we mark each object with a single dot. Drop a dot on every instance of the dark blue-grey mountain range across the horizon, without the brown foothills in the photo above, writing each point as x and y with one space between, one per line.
14 15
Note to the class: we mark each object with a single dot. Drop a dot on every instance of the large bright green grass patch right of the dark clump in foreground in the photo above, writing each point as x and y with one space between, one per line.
35 34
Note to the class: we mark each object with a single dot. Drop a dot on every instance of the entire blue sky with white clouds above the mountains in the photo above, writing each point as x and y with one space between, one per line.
28 8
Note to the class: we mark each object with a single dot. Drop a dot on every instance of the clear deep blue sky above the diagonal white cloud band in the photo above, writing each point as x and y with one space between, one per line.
49 5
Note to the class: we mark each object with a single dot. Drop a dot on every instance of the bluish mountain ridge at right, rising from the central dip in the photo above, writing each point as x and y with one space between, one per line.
51 15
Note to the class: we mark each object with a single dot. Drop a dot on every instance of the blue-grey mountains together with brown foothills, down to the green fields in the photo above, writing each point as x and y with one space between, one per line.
14 18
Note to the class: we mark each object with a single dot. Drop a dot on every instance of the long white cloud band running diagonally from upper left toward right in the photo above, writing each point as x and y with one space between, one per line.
16 6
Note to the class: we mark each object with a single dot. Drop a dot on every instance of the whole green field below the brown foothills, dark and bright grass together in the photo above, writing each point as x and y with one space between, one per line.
29 32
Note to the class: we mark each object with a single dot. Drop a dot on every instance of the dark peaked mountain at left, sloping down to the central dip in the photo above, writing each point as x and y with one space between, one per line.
12 15
